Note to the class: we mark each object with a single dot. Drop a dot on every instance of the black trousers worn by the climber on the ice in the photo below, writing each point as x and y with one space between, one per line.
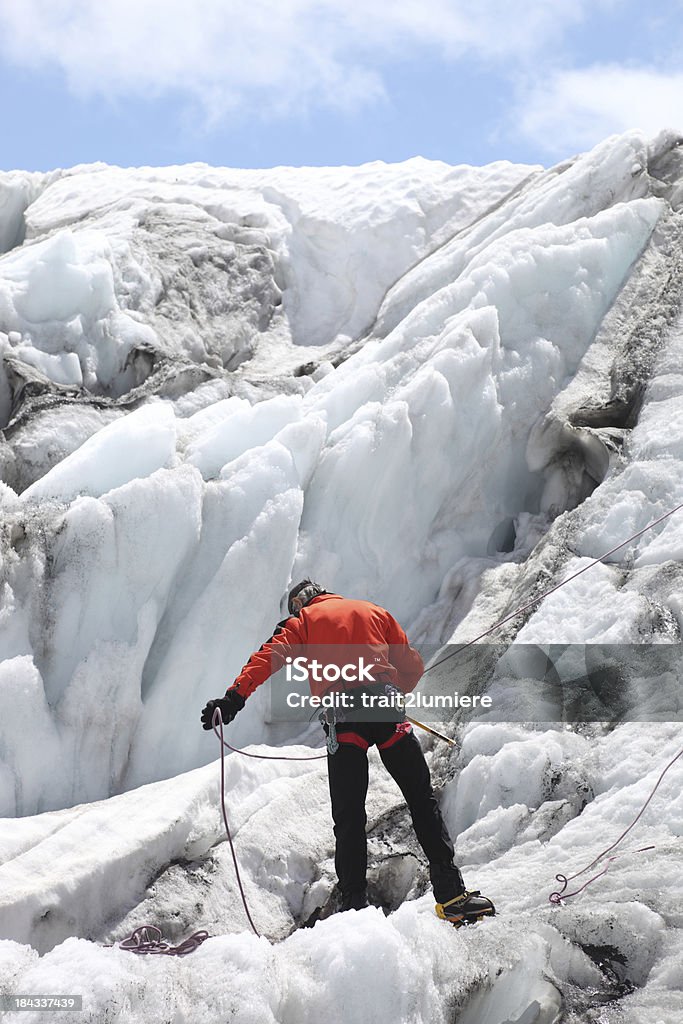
349 787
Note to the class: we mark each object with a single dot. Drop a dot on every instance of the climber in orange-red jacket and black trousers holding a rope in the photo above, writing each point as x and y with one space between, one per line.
318 620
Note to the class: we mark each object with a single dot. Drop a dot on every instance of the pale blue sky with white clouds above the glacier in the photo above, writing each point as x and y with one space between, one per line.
257 83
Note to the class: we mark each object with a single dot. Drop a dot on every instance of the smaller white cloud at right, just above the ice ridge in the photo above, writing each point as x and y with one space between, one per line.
574 110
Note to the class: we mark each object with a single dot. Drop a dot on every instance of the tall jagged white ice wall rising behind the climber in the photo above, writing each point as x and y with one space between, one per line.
394 335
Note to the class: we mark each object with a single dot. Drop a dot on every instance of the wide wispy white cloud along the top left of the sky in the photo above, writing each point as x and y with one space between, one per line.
274 56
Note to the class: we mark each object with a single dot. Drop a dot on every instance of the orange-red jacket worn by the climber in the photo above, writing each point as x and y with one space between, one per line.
336 631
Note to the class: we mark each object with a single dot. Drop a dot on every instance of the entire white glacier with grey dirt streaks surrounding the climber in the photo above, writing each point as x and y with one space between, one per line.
442 389
